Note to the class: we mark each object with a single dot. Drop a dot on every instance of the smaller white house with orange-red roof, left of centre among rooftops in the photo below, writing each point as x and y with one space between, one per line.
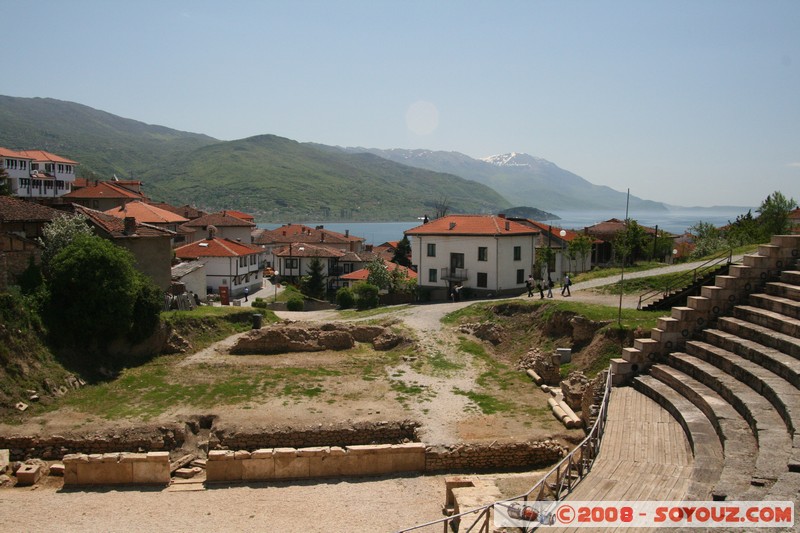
229 263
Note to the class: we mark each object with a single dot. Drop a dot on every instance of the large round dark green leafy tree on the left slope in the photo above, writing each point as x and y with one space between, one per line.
96 295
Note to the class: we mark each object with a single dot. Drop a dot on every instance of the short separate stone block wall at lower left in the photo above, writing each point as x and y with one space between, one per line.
117 469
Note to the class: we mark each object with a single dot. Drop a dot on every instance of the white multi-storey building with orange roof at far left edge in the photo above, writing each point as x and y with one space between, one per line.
37 174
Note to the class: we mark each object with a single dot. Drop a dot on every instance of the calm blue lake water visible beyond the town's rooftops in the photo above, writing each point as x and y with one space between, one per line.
674 221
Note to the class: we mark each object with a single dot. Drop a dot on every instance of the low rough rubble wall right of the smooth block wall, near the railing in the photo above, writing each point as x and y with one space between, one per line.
504 456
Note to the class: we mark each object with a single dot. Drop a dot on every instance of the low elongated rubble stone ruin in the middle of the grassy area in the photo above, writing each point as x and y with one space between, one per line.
291 337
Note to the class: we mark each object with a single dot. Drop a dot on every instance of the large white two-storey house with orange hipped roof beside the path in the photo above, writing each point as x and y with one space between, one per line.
486 254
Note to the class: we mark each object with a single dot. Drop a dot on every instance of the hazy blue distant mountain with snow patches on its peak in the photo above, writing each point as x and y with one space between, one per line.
522 179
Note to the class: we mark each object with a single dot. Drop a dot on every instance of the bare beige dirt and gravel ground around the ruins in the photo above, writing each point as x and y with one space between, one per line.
359 504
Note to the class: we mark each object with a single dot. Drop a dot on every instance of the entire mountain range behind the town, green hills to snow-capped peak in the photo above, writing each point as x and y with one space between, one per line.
281 180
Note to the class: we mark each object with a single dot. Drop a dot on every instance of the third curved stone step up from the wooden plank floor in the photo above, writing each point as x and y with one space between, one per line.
774 443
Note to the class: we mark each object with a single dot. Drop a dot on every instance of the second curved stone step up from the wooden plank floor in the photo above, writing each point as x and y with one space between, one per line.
739 444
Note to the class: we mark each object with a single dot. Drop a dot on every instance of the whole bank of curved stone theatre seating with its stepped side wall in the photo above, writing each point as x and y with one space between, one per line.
742 375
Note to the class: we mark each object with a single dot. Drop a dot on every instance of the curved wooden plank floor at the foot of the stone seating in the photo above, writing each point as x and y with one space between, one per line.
644 455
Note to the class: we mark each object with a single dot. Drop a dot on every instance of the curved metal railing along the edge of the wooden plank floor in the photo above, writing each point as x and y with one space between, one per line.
557 483
